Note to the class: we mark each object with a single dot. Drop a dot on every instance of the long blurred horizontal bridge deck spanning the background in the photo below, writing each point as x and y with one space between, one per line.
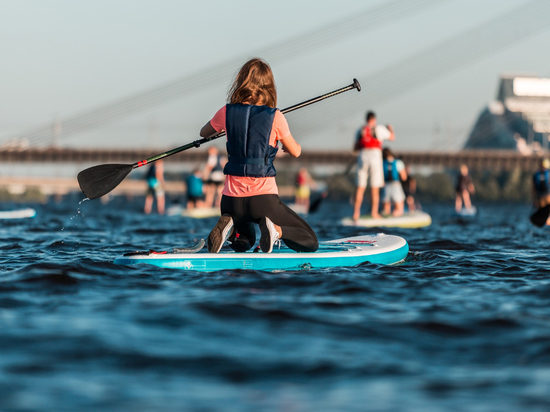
493 160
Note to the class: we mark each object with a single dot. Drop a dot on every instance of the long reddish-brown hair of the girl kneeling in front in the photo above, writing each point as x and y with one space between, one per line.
254 84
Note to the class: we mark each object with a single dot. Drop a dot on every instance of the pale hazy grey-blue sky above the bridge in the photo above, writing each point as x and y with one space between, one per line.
63 57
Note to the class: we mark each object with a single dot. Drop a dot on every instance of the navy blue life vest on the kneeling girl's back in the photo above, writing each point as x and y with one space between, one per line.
248 130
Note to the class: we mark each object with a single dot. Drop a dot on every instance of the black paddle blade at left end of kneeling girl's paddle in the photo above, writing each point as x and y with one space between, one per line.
100 180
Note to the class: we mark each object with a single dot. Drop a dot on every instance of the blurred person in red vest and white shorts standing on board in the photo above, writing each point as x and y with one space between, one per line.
370 168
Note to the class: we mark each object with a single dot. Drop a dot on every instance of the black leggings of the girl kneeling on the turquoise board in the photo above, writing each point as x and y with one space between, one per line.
246 211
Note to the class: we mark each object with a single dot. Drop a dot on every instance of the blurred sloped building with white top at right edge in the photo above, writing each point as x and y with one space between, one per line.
518 120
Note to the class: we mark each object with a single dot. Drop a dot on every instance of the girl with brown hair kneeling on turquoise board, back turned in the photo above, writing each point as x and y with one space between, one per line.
254 126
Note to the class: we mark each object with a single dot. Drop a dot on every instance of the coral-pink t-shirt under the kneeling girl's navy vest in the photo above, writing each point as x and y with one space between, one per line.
241 186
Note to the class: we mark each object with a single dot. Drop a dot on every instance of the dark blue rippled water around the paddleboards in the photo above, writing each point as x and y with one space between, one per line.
464 324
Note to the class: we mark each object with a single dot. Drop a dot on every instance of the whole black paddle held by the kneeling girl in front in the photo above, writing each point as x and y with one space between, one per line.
99 180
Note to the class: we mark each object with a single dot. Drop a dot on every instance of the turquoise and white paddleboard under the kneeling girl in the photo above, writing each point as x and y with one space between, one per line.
352 251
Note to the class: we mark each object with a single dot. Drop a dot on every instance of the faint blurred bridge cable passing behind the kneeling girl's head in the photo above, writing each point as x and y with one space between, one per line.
366 20
